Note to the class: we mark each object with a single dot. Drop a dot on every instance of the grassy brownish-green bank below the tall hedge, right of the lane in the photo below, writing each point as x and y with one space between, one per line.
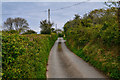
103 59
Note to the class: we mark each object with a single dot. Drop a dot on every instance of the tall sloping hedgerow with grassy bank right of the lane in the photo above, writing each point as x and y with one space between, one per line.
95 38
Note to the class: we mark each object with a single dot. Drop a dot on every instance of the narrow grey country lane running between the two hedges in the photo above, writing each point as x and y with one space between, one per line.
63 63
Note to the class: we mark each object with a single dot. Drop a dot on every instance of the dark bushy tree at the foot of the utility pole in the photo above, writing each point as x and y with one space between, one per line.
46 27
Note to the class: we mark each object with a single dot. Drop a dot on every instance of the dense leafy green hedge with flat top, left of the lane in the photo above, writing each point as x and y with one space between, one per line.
25 56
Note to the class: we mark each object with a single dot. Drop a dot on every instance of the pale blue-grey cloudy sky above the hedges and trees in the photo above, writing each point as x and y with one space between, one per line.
31 11
